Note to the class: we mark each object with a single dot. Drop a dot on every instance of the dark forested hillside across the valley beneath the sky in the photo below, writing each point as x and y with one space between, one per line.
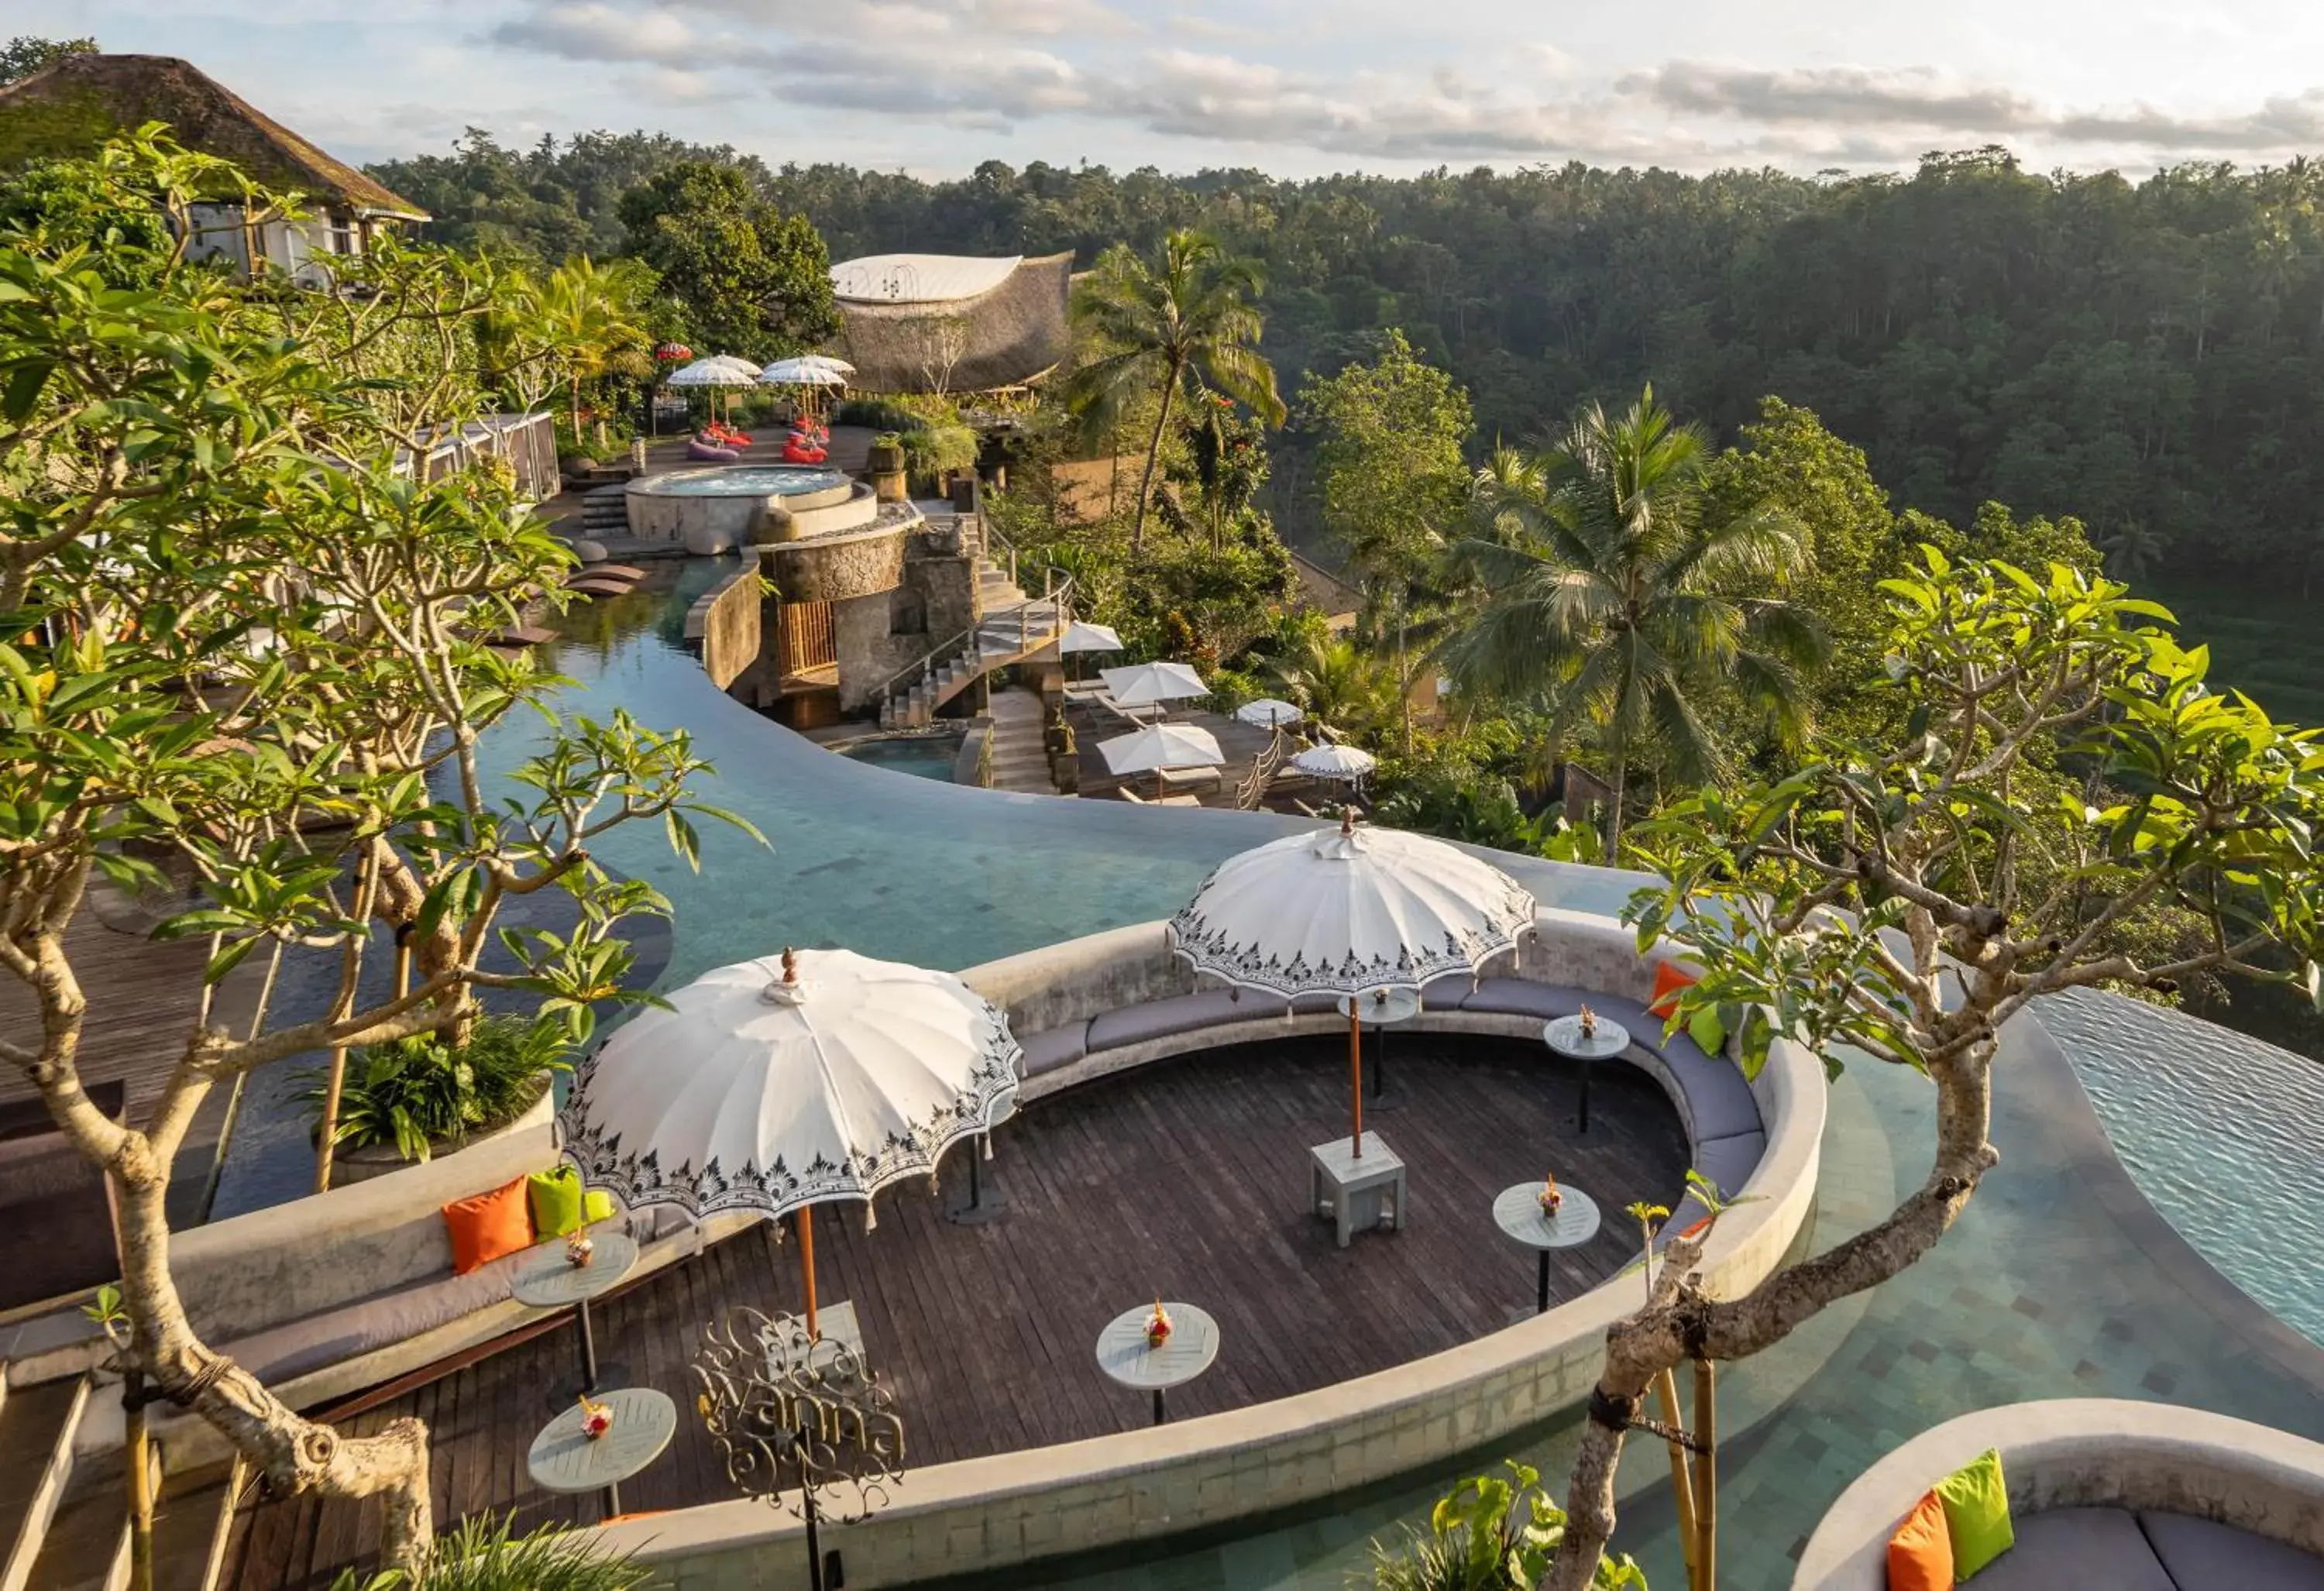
2146 357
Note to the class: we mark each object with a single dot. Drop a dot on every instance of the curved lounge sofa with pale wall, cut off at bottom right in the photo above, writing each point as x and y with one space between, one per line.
2130 1497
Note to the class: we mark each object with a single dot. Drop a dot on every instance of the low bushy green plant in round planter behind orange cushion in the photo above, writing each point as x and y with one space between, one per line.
419 1090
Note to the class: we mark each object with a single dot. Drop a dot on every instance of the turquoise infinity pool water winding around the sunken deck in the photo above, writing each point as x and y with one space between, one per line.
2039 1290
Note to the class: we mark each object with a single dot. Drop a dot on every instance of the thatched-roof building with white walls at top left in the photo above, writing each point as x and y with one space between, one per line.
71 108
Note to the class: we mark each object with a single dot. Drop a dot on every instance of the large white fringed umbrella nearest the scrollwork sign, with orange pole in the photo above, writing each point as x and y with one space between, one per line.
791 1081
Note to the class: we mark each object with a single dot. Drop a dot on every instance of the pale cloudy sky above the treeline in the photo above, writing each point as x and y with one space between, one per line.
1293 87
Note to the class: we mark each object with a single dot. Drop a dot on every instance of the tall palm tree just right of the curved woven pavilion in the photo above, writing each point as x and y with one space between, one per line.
1170 331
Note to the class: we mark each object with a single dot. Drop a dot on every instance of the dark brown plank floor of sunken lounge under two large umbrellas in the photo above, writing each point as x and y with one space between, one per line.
1184 1179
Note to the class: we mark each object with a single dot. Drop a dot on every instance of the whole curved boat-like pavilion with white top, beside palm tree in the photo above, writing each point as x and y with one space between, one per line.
952 324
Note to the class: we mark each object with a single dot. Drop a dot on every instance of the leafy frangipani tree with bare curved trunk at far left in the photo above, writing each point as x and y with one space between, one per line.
241 645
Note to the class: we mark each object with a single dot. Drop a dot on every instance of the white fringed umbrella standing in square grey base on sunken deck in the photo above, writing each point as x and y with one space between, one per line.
1351 912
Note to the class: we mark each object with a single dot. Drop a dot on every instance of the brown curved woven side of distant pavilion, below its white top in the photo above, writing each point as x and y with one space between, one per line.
1005 336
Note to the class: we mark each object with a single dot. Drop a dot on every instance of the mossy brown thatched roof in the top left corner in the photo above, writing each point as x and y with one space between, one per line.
66 110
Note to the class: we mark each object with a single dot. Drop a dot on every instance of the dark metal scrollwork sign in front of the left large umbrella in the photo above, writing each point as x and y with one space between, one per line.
801 1423
